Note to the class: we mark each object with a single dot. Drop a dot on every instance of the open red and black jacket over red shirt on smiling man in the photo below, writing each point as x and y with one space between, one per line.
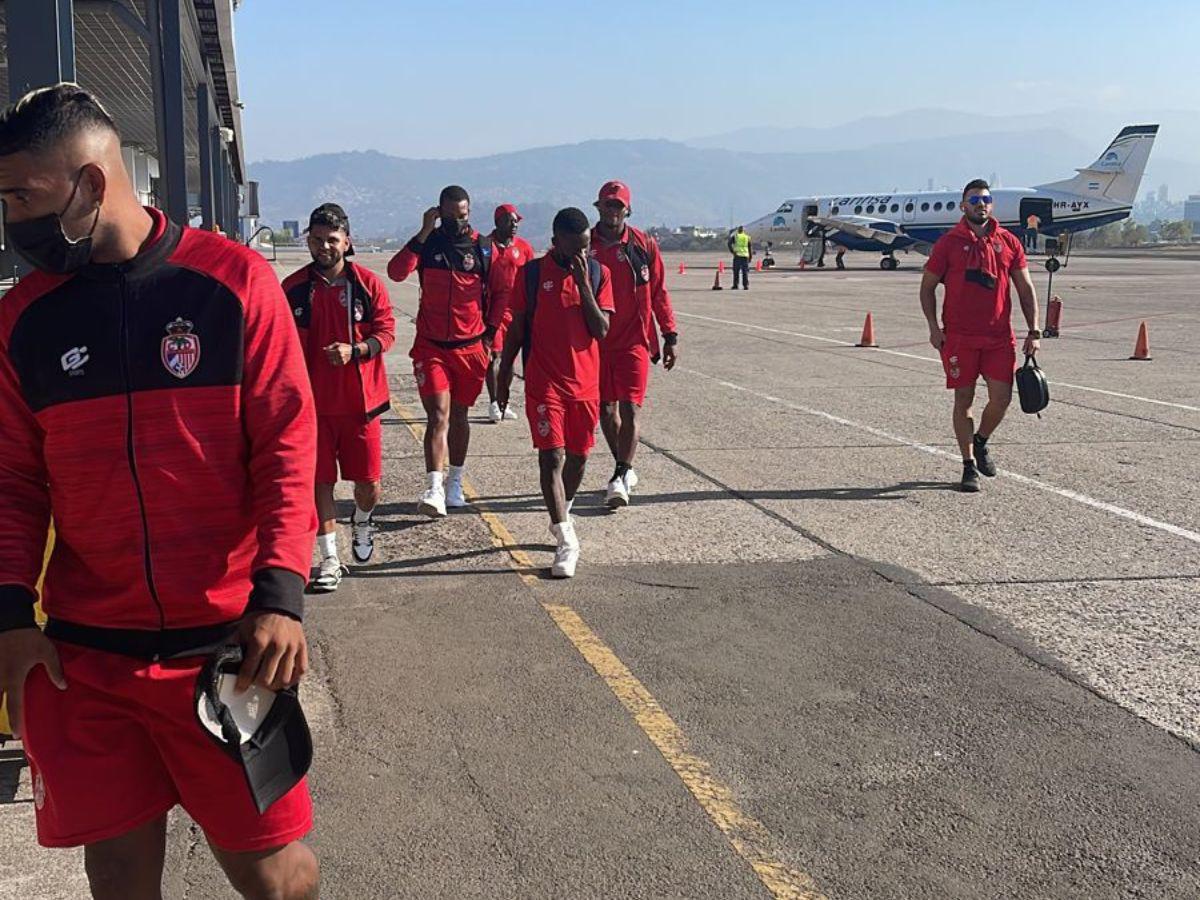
362 388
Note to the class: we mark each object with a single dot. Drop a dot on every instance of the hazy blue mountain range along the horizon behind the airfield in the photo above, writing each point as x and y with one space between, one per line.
721 179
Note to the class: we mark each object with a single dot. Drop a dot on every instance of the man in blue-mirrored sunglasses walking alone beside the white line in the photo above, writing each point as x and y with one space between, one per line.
975 262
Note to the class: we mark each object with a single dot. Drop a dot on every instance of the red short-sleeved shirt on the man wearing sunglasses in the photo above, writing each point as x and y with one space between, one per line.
971 309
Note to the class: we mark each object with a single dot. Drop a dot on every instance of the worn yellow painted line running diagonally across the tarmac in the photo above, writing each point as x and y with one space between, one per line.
748 837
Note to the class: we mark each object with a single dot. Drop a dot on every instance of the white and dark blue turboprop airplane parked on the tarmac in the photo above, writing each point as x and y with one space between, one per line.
886 223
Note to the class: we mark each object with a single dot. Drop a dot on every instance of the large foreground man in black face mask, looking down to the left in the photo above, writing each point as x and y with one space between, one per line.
154 401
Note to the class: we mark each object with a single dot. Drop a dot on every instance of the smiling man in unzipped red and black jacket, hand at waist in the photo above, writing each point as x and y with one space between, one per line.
346 327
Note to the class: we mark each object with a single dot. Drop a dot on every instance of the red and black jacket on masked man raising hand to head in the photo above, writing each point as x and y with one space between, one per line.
455 286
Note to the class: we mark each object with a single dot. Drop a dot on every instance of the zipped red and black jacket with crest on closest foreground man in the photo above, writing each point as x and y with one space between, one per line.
161 413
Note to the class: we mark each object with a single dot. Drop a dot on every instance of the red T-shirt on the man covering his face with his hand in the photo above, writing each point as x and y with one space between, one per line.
565 358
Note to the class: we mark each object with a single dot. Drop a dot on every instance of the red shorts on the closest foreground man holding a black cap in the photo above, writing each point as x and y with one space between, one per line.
122 746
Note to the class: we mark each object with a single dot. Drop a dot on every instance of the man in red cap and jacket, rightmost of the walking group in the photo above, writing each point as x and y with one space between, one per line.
641 298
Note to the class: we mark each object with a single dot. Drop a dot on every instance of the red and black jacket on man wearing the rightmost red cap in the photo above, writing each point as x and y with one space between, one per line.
641 296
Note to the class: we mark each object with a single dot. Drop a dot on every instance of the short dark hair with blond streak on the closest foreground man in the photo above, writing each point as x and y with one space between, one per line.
46 117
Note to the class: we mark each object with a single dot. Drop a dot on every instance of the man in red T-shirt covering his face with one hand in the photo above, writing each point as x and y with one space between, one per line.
561 311
